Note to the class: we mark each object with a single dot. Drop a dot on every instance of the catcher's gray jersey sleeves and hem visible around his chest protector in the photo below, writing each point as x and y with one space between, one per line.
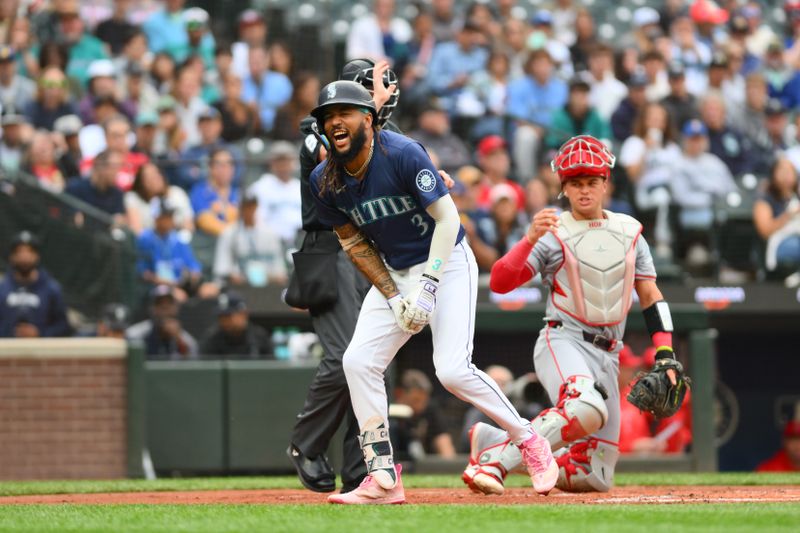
546 258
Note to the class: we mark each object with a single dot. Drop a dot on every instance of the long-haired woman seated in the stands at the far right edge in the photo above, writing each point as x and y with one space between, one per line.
776 215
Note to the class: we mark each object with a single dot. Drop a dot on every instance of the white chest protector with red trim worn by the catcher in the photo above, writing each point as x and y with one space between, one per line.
595 281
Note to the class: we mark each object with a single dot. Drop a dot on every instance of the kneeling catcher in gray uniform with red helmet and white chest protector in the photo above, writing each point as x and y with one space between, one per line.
591 260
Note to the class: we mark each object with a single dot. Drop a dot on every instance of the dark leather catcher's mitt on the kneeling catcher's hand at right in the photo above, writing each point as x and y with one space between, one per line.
654 393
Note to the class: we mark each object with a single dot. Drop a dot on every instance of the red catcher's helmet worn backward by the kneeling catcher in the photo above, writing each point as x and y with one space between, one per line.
583 156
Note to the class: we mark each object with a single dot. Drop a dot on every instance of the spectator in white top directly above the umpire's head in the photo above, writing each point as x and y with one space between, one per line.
379 35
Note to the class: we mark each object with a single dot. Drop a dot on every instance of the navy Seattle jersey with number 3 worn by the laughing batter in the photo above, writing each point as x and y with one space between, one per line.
388 203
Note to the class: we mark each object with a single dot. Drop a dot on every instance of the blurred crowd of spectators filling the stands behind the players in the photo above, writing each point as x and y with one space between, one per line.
139 110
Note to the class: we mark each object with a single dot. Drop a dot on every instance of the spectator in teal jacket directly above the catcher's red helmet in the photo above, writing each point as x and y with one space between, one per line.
577 117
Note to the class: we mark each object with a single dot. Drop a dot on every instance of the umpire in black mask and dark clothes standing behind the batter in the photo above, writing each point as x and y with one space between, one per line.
328 400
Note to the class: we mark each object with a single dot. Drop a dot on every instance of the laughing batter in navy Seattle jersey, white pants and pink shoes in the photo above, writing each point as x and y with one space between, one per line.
397 222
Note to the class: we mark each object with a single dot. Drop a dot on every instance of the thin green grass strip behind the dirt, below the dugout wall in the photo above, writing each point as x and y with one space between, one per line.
448 481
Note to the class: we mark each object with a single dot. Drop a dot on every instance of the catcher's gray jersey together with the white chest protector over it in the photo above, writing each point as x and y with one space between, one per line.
590 267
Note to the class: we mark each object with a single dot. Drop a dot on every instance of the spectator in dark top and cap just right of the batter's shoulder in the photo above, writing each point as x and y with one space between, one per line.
433 132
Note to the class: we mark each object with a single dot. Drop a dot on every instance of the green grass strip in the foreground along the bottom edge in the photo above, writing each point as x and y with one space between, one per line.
419 519
